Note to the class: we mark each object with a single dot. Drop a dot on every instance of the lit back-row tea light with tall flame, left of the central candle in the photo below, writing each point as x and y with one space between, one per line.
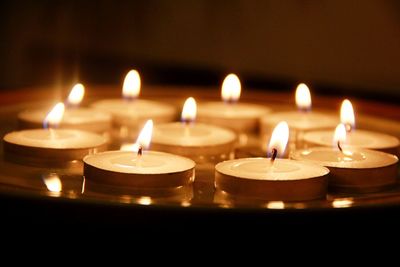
132 112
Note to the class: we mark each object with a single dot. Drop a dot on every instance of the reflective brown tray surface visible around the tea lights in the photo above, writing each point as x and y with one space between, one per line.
31 184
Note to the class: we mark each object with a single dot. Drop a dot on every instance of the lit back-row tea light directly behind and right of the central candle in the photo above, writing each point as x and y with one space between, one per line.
229 113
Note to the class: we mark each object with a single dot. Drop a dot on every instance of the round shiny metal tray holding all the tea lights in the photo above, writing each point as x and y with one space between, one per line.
24 195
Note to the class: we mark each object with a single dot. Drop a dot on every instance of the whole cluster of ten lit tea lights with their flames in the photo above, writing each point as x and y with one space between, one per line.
350 164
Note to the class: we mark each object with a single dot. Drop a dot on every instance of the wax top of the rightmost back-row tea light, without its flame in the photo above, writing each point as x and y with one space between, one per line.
302 121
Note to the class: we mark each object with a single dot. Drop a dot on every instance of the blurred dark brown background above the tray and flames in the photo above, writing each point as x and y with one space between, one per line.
338 47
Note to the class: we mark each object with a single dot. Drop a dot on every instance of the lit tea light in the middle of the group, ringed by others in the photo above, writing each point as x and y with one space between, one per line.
201 142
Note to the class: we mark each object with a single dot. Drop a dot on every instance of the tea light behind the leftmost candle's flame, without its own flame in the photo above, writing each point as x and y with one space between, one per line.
74 118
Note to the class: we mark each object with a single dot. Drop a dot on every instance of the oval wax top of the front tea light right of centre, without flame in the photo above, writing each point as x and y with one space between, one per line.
262 169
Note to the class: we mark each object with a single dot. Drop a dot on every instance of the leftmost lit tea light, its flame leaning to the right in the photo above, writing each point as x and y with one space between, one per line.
49 145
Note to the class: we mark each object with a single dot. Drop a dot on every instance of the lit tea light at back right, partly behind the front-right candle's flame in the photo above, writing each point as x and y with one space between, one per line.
299 121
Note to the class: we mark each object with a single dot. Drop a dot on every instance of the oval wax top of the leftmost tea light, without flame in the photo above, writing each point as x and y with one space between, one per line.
55 138
